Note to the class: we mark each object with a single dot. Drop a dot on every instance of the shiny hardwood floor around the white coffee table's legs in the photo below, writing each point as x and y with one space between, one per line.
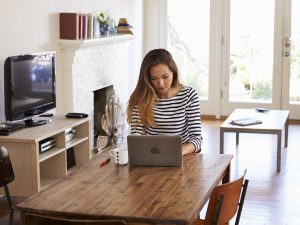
272 198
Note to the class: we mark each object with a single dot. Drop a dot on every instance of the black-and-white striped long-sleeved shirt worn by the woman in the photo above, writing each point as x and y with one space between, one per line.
179 115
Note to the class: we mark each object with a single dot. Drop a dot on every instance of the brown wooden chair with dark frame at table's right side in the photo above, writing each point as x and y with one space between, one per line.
225 201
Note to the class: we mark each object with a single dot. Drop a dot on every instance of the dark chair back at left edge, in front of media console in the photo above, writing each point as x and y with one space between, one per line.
6 171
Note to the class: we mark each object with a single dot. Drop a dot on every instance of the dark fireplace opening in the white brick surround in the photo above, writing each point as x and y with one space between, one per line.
101 98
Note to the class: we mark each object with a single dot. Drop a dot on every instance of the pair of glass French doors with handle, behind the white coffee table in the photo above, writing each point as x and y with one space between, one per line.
261 55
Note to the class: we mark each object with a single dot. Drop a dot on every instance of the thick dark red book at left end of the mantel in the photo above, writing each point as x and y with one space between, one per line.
68 26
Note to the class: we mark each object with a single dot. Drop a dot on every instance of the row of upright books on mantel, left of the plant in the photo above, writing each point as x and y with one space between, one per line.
76 26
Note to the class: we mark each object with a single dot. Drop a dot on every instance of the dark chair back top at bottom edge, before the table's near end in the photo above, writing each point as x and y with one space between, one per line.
36 219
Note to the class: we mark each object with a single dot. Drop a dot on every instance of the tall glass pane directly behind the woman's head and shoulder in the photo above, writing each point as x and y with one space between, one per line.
188 39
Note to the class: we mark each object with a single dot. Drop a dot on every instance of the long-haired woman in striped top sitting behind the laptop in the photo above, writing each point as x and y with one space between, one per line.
161 105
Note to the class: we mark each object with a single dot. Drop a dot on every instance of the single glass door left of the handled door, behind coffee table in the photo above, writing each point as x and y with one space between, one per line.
249 74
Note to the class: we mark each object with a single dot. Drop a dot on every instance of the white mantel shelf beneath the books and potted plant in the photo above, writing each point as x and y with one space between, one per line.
86 43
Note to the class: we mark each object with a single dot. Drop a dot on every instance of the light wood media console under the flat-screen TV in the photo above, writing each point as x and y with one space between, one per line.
35 171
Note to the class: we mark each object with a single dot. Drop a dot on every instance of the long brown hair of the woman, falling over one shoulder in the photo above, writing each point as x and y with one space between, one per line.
144 96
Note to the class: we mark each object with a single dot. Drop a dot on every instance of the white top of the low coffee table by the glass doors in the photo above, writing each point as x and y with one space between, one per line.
271 120
